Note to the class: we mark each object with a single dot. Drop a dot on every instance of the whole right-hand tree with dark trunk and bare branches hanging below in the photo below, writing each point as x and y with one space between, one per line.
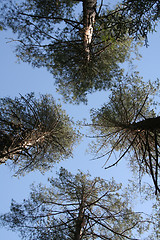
128 124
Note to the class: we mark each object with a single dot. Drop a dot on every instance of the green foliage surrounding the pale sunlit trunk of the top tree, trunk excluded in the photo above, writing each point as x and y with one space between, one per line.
50 35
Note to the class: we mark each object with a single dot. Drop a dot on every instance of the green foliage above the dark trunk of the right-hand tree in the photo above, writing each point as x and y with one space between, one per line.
124 104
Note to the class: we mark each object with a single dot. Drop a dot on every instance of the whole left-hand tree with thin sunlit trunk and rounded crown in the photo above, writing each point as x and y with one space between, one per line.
34 133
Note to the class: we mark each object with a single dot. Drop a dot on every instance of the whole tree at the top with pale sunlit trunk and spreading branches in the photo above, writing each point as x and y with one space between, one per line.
82 49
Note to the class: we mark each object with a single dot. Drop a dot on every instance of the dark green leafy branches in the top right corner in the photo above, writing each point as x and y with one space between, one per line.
138 18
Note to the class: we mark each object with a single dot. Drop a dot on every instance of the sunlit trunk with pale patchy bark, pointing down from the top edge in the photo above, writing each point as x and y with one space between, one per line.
89 15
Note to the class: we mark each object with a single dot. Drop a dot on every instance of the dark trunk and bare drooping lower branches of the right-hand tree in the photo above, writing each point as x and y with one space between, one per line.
144 139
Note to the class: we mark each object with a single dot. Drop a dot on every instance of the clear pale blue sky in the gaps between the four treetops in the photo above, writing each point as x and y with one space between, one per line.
22 78
